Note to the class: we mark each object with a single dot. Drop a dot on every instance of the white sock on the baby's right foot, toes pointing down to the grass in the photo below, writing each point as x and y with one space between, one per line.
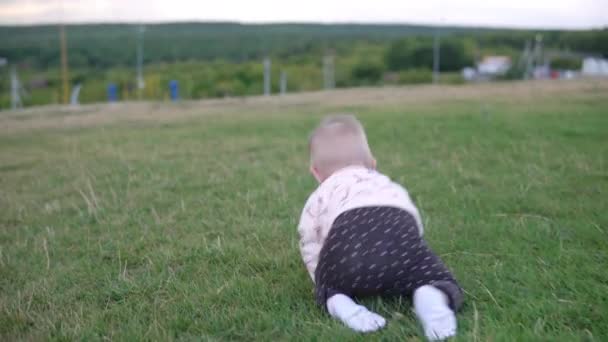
431 306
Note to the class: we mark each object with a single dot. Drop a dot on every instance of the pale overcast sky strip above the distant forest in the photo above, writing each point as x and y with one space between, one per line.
503 13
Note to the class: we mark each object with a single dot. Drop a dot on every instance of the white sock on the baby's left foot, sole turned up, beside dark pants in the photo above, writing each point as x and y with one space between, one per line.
355 316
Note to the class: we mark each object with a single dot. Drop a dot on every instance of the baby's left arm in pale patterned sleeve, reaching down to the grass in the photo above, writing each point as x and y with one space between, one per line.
310 244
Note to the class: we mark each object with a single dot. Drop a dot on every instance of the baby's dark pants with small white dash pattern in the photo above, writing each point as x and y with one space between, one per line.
379 251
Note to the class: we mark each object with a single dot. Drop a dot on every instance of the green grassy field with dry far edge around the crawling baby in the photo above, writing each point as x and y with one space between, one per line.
178 222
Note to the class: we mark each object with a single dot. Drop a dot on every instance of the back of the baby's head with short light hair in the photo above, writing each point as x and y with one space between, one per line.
339 141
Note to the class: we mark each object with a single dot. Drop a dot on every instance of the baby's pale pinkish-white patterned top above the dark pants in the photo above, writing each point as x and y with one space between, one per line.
349 188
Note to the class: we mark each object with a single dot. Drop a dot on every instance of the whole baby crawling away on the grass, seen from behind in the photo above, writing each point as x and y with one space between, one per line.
361 235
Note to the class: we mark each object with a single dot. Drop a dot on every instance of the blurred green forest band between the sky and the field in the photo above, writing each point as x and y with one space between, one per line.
224 59
